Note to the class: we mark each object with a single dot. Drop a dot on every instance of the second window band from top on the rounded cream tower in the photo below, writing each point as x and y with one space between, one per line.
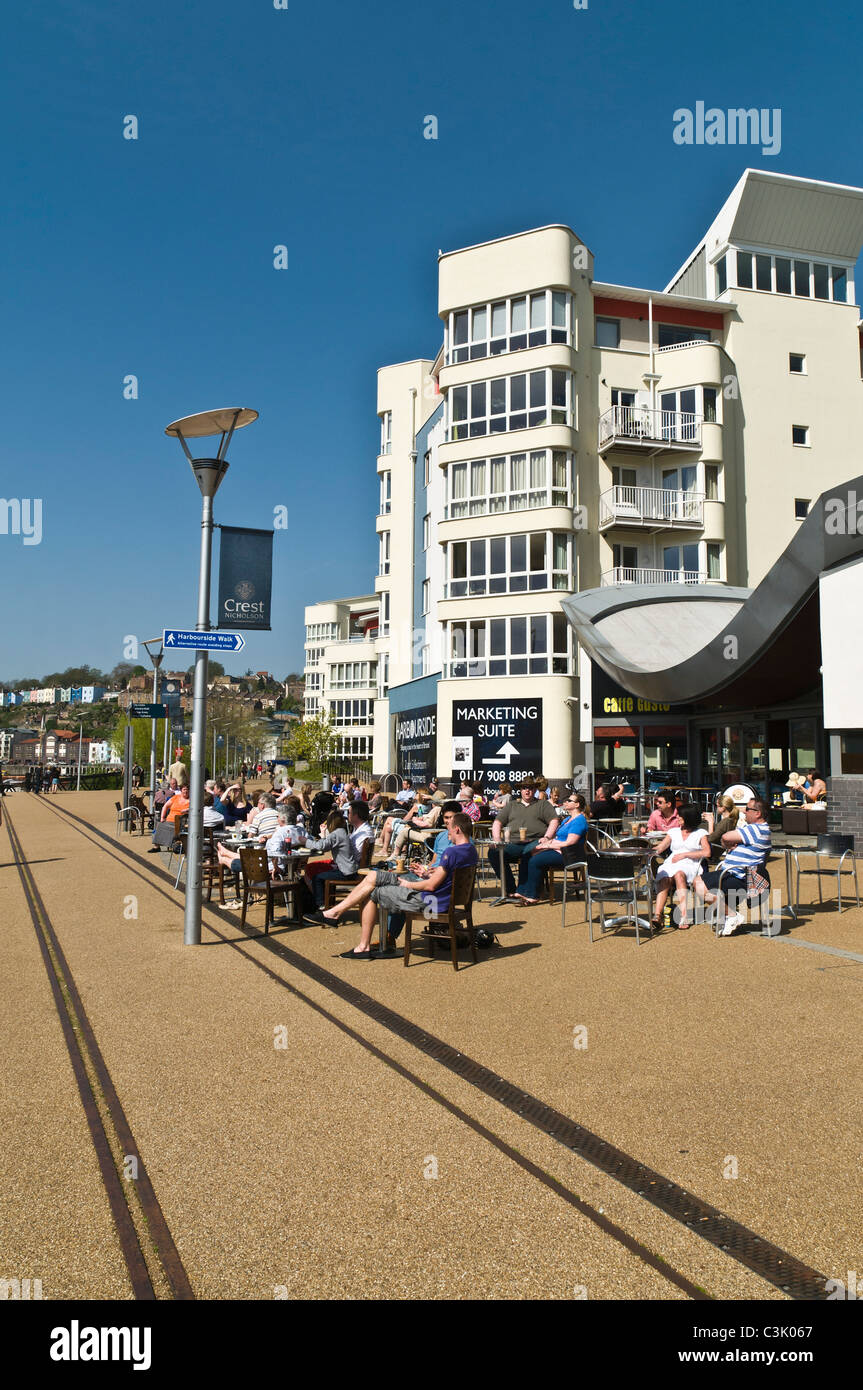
522 402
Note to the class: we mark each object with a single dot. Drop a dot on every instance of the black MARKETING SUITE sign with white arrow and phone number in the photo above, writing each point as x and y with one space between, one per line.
497 742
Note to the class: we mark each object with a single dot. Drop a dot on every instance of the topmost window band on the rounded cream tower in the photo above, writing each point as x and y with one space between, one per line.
509 326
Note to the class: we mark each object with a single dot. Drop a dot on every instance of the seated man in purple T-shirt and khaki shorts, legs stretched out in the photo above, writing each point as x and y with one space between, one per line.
390 892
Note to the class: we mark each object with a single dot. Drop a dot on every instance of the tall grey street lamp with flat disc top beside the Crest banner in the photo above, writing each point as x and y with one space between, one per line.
209 475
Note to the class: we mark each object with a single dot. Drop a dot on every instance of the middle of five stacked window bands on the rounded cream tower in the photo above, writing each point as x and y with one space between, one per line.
501 484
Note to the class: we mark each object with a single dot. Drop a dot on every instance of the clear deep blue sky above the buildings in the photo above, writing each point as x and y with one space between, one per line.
305 127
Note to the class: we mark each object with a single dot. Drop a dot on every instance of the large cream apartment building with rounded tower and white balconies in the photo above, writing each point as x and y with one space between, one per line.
575 434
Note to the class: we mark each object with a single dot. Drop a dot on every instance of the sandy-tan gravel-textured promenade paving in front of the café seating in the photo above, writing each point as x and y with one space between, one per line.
299 1147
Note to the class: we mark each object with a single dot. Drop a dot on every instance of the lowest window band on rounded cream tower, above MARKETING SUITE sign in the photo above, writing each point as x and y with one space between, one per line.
534 646
